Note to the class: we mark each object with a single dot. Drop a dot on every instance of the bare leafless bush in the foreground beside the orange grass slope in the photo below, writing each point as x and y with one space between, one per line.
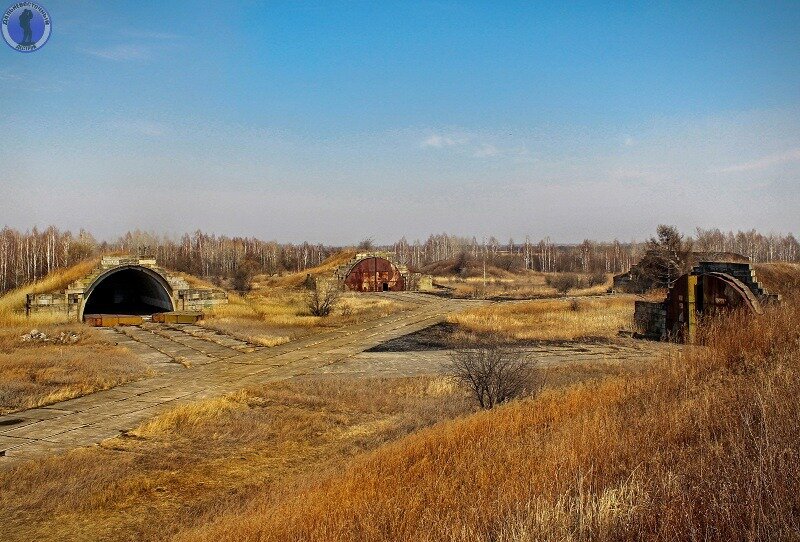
493 373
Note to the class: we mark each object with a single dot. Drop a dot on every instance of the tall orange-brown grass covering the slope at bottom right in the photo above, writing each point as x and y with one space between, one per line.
703 447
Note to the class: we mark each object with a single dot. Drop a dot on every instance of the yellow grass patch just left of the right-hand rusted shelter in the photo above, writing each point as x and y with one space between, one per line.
550 320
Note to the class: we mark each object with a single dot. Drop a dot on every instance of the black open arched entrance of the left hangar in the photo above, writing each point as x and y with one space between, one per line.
130 290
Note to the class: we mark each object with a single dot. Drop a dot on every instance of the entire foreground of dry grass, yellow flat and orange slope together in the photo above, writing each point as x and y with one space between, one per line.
700 445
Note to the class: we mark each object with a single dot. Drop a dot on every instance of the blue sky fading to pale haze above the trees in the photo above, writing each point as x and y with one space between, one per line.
337 121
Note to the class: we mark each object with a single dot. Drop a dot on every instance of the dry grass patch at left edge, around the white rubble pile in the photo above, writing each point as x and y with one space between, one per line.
34 374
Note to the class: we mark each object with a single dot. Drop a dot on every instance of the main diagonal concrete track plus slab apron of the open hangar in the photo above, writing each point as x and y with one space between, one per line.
213 369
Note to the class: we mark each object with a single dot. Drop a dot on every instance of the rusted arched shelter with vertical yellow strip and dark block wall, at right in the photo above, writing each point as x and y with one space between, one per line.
710 289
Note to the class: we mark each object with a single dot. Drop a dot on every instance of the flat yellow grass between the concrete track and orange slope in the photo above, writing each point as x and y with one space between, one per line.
191 464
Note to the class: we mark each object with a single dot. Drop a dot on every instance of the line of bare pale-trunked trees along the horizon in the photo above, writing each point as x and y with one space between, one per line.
28 256
